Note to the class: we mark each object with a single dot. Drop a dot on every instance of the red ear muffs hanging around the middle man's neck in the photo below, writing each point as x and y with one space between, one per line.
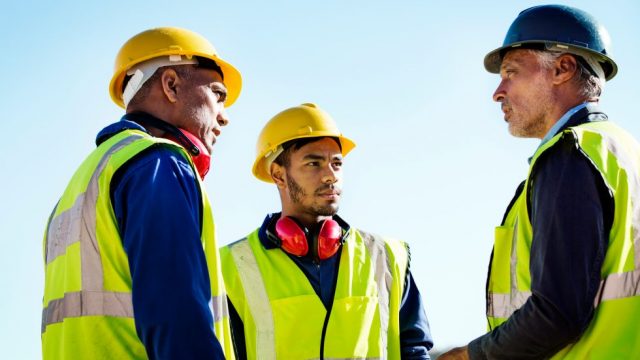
294 239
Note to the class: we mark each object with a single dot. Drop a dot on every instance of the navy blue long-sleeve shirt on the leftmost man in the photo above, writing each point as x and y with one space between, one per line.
157 204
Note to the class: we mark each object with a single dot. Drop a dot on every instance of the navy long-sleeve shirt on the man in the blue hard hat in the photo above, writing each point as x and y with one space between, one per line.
571 215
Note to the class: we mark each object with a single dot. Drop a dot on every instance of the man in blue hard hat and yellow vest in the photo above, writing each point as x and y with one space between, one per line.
564 275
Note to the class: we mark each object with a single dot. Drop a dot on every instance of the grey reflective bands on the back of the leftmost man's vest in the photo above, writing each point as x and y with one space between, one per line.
78 224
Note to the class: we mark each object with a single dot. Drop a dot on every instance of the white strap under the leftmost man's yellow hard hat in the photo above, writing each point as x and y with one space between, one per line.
144 70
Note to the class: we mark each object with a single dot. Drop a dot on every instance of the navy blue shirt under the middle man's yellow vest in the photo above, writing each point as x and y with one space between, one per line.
415 335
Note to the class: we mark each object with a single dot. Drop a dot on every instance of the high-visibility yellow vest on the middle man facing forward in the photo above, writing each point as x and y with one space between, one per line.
284 318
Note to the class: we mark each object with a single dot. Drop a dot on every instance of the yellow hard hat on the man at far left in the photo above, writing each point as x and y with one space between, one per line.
170 41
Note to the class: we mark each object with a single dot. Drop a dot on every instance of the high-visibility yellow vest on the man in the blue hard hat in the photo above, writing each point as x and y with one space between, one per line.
613 332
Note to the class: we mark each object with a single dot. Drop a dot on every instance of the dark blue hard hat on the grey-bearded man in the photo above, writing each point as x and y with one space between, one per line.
558 28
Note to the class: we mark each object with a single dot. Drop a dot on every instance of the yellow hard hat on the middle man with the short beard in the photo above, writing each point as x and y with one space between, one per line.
304 121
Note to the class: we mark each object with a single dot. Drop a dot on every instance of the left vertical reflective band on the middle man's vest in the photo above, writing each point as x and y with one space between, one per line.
256 297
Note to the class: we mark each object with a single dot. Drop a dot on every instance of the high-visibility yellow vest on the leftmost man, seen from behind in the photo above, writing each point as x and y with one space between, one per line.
88 311
